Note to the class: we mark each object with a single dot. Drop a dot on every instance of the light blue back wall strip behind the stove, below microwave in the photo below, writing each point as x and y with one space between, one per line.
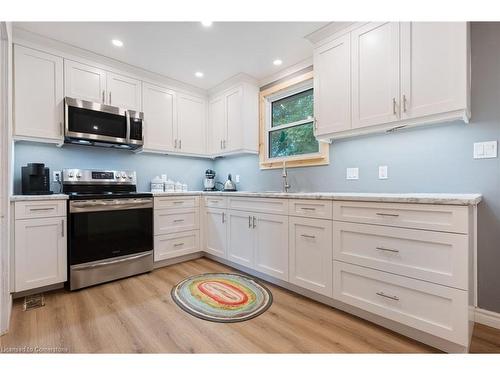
147 166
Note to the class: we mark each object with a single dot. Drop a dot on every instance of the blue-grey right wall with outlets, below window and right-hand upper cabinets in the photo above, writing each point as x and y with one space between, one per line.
430 159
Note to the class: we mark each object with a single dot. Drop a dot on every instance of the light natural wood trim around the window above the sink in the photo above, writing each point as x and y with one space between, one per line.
320 158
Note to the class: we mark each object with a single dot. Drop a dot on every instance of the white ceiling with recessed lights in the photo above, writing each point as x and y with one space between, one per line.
179 49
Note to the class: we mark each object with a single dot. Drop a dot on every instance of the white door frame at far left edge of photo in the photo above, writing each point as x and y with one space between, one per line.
5 170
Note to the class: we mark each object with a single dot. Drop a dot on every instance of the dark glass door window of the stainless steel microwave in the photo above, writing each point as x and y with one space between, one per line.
87 121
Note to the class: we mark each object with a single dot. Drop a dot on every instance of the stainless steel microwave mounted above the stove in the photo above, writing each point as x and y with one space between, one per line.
89 123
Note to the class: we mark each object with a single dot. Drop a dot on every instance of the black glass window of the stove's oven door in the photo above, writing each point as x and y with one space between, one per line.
107 234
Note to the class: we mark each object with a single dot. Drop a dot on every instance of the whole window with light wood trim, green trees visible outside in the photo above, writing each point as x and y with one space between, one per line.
287 125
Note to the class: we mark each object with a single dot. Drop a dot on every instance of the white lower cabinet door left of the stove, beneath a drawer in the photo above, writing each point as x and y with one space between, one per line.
40 252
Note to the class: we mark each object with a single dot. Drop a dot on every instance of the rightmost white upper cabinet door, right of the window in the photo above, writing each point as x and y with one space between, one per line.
433 67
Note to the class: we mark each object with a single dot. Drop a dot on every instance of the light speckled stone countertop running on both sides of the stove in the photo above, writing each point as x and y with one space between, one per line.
422 198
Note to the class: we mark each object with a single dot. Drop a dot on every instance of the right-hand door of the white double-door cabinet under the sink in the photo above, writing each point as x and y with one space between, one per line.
271 245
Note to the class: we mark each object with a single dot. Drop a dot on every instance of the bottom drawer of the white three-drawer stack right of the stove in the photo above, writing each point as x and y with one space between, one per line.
173 245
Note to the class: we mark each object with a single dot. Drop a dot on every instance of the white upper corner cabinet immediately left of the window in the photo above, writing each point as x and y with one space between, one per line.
234 120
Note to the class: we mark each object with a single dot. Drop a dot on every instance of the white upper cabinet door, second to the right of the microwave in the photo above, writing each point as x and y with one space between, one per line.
191 125
